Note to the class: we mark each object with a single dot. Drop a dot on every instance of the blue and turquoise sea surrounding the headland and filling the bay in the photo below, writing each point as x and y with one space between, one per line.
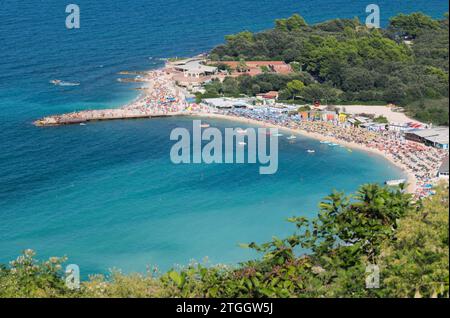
106 194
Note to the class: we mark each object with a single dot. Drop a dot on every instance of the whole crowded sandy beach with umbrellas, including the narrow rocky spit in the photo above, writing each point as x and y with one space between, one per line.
163 96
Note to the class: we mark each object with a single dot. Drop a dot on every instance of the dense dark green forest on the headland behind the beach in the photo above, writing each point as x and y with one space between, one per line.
343 61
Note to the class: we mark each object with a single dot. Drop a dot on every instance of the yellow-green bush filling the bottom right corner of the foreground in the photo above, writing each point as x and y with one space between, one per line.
415 264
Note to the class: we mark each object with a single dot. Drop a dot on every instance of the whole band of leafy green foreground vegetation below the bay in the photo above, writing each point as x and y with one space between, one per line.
407 240
